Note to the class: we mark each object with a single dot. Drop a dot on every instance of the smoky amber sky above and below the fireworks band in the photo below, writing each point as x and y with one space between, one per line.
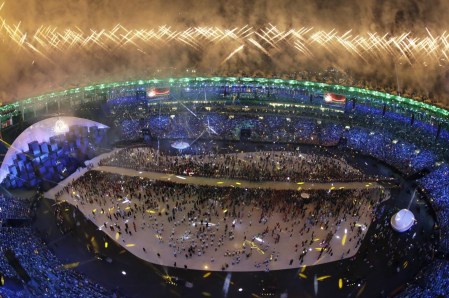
26 73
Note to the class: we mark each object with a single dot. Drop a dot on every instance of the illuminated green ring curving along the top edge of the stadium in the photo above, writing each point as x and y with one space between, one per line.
145 85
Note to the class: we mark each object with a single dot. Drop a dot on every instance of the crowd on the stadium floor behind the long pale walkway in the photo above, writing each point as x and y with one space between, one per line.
254 166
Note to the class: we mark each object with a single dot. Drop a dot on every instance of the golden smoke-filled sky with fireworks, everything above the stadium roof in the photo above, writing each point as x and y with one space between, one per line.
38 54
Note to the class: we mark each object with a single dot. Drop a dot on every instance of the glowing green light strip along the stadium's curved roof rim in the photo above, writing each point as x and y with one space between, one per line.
311 86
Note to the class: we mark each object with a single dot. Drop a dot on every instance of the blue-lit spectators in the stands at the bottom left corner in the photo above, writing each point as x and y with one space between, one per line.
45 275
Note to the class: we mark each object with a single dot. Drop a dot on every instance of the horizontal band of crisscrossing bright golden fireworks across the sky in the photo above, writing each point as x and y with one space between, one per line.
47 40
